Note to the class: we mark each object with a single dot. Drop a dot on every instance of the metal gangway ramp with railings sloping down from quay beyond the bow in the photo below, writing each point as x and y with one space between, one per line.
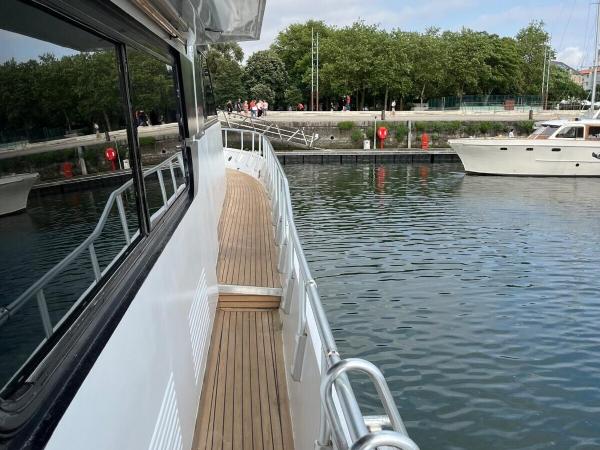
269 129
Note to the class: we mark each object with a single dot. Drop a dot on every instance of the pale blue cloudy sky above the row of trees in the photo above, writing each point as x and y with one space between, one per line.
570 22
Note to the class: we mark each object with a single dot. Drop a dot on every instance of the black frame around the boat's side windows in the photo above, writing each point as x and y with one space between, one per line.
31 407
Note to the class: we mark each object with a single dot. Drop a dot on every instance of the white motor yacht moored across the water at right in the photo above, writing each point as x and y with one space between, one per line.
556 148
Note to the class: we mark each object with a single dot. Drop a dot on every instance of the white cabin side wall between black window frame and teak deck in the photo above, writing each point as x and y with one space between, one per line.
154 361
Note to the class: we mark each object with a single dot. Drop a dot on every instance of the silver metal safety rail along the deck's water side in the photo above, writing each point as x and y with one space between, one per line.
342 422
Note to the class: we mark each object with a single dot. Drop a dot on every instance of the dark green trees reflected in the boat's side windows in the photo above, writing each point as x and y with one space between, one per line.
50 96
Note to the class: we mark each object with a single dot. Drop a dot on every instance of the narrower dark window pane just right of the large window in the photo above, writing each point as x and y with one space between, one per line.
158 121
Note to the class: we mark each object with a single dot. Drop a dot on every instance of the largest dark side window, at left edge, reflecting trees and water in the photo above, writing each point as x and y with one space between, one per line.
68 210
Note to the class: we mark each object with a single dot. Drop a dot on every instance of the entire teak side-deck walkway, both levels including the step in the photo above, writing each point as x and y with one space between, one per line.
244 403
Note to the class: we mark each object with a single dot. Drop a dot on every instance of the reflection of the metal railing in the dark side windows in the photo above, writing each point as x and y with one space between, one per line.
36 290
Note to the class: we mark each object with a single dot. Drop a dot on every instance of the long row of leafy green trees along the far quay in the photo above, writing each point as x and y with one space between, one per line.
374 65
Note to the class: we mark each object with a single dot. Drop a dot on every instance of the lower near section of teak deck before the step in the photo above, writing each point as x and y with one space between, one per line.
244 404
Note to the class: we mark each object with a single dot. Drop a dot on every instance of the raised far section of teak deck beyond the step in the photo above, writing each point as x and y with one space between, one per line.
247 255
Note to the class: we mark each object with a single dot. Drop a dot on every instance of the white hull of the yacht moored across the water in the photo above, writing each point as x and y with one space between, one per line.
557 158
